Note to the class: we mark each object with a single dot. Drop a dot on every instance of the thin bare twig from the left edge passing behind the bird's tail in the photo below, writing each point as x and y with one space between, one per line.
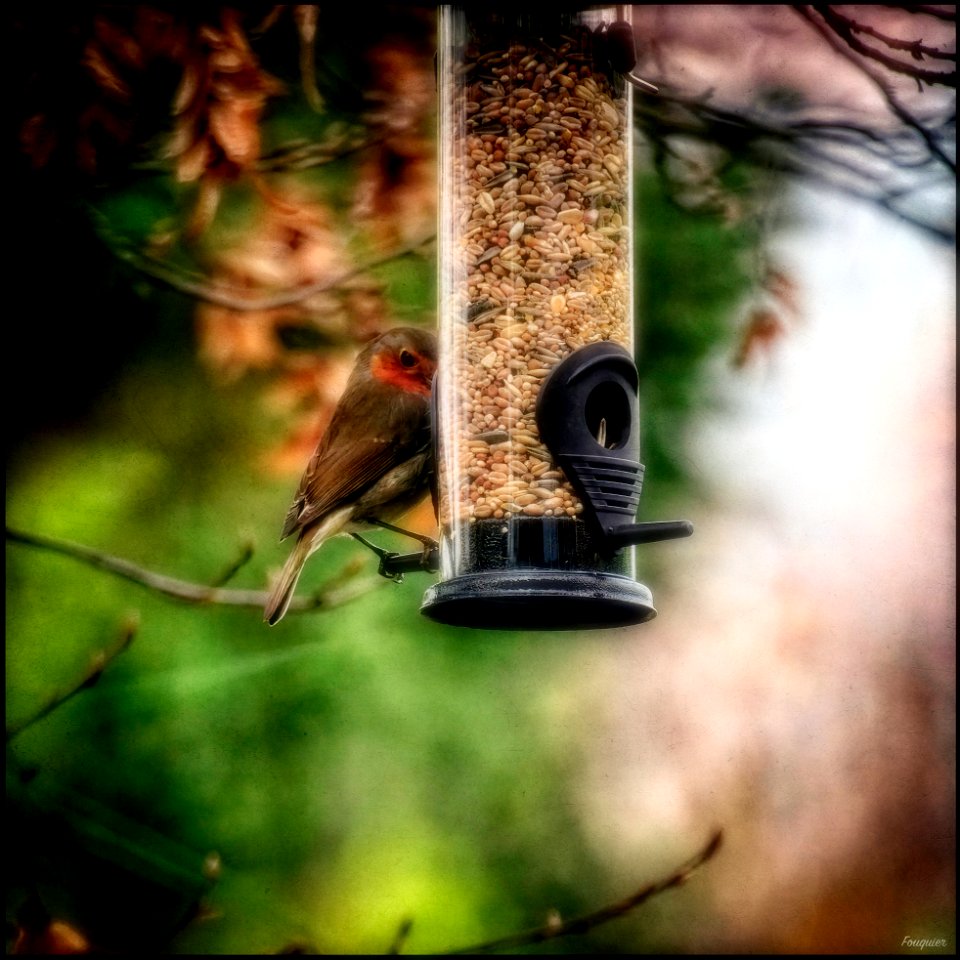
329 595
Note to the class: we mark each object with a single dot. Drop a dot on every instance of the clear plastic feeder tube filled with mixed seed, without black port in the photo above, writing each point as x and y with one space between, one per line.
535 261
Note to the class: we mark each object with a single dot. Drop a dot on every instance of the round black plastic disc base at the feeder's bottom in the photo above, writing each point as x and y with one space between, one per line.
541 600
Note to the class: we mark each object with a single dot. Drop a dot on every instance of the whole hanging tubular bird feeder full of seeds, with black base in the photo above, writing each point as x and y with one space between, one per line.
535 402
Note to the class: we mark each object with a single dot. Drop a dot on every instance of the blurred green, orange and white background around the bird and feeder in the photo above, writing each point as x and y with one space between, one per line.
213 208
